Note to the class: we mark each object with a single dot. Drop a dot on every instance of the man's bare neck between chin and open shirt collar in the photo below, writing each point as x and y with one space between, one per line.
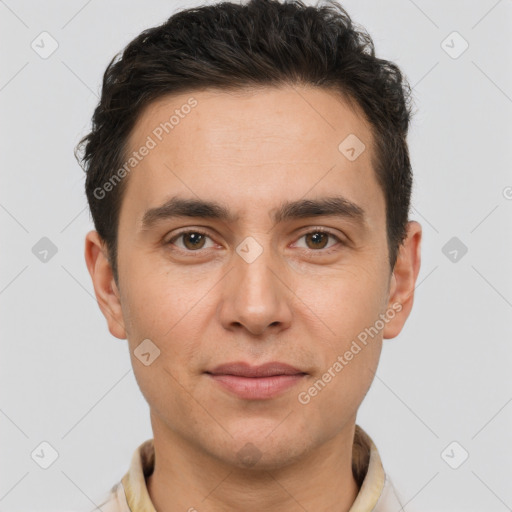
186 478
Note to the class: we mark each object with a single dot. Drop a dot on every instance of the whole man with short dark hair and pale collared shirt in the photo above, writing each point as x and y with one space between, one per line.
249 180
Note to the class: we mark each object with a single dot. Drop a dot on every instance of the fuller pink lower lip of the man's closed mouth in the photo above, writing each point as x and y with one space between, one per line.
257 388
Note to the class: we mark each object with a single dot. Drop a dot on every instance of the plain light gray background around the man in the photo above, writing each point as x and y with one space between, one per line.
65 380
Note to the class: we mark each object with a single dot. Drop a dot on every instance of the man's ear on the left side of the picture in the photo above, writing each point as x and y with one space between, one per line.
105 288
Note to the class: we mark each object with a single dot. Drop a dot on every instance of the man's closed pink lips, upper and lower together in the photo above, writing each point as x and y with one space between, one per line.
256 382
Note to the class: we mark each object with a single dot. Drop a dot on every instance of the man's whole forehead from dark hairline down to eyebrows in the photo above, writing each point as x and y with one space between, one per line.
250 148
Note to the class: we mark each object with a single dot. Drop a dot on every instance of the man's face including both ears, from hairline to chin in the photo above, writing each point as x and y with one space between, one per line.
247 236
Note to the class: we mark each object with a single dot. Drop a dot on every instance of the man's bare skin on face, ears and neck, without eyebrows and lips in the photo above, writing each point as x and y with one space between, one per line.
252 150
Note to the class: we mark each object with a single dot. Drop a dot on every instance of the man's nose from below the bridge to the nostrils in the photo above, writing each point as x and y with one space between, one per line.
256 297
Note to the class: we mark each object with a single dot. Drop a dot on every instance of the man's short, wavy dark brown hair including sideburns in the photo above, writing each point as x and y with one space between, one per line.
232 46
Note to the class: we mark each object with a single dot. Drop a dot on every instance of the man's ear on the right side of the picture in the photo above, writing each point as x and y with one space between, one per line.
403 280
